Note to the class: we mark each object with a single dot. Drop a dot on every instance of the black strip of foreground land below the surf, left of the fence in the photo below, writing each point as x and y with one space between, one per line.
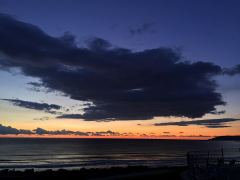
113 173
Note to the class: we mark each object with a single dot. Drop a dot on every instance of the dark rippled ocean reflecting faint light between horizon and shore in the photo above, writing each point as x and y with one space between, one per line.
23 153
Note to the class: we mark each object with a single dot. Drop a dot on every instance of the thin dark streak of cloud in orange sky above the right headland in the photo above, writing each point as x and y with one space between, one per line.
210 123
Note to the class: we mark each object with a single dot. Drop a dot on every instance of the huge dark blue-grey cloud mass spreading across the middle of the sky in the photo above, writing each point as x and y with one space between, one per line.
121 84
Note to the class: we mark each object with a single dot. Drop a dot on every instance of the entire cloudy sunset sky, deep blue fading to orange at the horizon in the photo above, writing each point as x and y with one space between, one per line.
142 69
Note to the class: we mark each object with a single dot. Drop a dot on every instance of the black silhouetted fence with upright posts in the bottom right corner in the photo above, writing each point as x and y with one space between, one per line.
217 164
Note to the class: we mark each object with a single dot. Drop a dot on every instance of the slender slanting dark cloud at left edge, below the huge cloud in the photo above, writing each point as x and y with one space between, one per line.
49 108
